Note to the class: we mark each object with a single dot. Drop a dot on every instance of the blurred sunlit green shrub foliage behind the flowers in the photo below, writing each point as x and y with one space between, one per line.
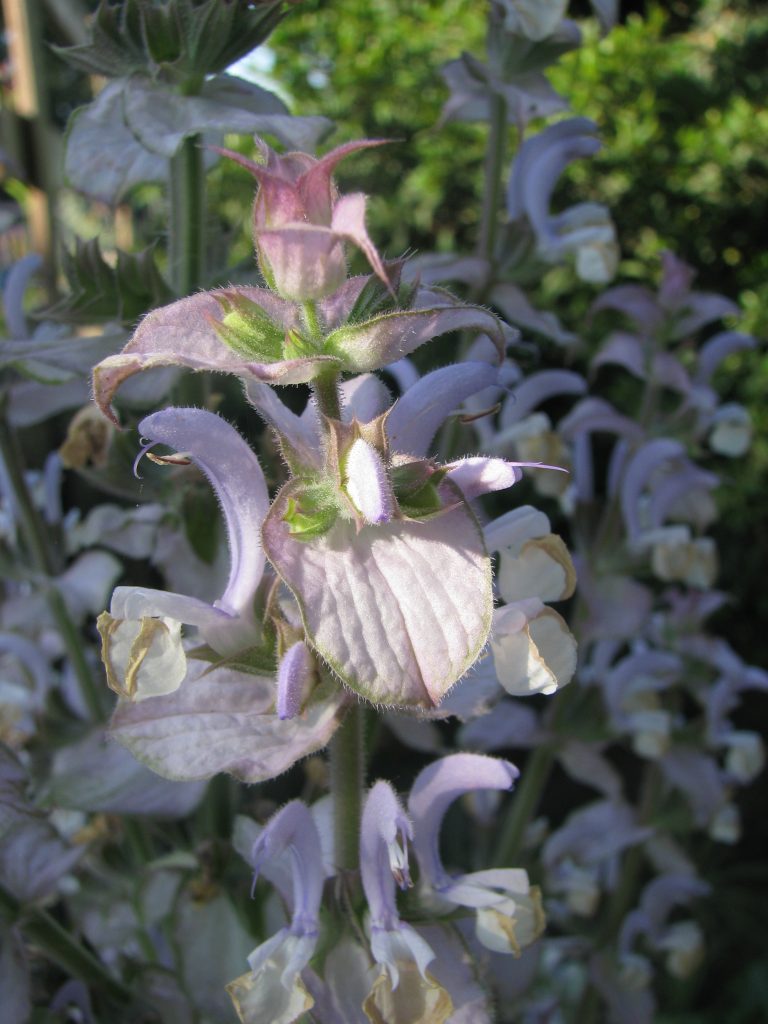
678 91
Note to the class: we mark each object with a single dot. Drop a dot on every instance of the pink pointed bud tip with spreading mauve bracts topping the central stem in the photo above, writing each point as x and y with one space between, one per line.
311 320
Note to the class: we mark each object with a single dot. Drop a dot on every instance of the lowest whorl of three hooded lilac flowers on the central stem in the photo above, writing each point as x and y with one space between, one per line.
392 970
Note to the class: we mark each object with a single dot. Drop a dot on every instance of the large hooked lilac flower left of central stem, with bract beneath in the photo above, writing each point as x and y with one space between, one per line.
176 692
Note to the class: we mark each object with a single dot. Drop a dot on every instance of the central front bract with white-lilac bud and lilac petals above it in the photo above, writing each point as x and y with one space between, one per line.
380 547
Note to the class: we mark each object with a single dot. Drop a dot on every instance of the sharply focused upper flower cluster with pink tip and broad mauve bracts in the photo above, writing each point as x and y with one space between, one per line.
370 567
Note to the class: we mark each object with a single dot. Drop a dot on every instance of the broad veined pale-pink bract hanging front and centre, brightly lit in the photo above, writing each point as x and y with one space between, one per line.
399 611
